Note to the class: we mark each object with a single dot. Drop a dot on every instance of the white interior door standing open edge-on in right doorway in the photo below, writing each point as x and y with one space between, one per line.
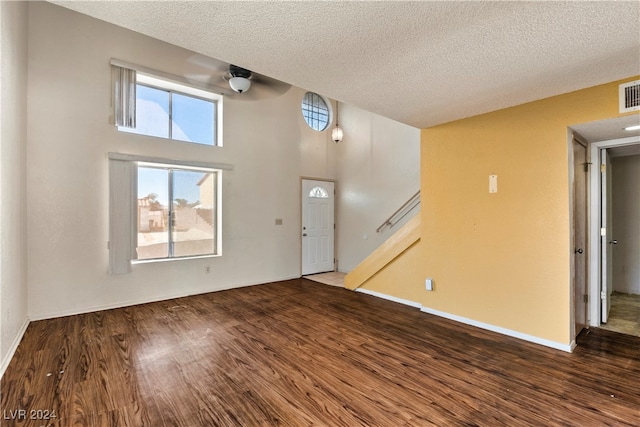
606 252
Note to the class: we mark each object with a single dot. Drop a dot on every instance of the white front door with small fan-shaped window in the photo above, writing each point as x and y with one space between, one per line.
317 226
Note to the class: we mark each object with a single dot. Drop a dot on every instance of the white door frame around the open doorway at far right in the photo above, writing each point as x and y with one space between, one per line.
595 218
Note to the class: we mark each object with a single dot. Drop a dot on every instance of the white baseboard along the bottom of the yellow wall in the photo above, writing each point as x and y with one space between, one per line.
504 331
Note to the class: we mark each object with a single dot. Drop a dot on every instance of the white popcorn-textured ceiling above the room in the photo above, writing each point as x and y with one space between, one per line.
421 63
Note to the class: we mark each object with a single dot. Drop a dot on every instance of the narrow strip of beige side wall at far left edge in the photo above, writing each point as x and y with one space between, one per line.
13 137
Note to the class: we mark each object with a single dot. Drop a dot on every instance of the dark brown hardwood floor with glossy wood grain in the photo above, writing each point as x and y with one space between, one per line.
301 353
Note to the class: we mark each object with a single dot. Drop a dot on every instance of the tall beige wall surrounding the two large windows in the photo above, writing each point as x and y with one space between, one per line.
267 142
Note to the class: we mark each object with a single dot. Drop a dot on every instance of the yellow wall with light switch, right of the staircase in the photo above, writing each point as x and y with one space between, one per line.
503 259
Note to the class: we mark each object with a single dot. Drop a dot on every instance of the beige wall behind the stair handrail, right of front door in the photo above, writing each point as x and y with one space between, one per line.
378 169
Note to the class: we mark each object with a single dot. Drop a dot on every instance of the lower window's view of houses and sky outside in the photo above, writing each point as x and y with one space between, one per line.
177 212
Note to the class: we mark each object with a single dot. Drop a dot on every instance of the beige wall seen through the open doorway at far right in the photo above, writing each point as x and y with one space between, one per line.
626 223
